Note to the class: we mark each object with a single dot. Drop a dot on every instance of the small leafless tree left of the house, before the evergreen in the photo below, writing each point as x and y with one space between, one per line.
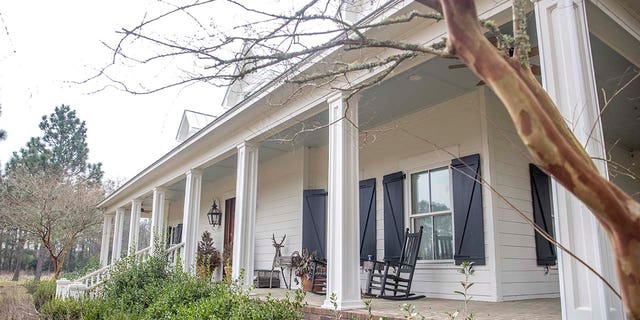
54 209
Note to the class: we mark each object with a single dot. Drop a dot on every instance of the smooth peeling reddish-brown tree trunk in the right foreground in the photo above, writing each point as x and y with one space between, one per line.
549 140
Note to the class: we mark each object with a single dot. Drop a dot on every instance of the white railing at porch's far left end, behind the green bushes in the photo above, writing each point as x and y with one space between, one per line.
91 281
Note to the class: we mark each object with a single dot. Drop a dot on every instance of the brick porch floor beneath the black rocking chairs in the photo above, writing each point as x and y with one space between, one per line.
434 308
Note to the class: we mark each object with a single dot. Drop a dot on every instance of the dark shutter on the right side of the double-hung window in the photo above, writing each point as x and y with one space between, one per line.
467 210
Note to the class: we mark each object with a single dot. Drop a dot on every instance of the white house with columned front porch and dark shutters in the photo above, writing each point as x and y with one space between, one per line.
349 192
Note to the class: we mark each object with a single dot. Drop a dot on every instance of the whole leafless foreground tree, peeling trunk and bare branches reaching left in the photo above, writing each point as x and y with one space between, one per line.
318 44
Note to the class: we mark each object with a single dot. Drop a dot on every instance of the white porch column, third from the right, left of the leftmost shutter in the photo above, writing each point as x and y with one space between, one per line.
245 215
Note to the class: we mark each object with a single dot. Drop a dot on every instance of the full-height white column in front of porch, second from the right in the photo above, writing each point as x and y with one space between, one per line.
343 254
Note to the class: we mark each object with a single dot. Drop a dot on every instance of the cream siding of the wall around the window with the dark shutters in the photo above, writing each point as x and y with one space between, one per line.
456 126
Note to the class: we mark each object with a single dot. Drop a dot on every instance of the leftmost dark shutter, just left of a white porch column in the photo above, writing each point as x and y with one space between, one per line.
314 223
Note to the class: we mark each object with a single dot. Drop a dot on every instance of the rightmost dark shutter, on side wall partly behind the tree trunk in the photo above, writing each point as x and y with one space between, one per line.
542 215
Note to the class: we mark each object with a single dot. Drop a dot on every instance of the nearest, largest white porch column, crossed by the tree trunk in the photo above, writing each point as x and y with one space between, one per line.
569 78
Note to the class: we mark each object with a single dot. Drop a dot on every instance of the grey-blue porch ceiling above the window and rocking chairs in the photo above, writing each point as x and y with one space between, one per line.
420 87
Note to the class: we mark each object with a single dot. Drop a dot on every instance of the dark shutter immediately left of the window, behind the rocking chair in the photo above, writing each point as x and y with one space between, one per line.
393 215
